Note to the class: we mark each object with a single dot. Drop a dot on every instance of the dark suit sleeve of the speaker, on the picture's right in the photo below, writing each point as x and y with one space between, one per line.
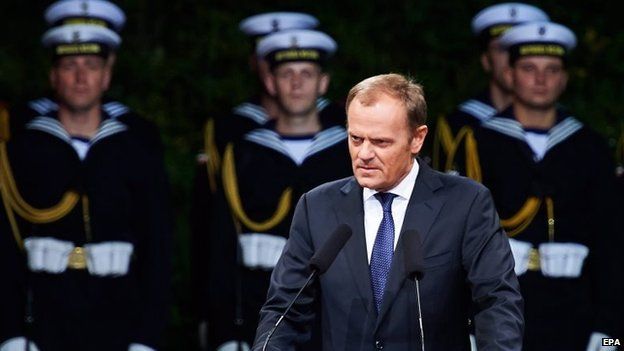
489 264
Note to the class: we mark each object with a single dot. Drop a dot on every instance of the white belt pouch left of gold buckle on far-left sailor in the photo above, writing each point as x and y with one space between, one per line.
47 254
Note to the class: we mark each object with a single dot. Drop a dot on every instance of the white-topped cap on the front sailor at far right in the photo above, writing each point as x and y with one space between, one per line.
538 38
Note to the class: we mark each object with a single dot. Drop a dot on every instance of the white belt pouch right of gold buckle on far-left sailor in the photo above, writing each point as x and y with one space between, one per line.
110 258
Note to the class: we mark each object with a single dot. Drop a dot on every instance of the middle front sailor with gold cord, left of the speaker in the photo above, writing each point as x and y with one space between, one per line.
263 174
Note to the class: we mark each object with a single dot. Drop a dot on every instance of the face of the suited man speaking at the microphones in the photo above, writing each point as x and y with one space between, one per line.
381 143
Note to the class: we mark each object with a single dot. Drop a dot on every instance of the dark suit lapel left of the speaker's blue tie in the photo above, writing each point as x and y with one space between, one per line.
350 210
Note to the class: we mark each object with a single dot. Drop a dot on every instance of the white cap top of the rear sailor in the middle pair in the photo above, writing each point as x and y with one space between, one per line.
266 23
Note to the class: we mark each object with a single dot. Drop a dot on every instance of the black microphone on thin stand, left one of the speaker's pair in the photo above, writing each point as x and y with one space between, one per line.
319 264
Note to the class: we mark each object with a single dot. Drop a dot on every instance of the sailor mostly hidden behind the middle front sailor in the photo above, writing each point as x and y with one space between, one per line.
244 117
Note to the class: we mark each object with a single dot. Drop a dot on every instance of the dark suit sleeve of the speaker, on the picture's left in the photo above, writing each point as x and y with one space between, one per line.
288 277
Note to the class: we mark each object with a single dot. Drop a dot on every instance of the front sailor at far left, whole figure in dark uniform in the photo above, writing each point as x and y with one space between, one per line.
86 225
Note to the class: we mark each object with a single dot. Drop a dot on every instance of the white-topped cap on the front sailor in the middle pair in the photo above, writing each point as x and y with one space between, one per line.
296 45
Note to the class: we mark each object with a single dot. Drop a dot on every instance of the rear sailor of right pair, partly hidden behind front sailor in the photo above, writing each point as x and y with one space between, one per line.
488 25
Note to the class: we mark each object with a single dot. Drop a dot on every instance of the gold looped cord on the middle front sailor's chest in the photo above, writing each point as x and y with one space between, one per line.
230 185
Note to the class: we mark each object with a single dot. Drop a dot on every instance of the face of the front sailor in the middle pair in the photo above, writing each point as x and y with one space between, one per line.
296 86
